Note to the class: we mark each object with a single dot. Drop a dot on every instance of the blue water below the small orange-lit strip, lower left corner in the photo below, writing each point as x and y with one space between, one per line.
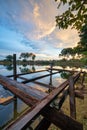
11 111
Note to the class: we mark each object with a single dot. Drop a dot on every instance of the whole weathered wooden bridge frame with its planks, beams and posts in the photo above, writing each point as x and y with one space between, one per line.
40 102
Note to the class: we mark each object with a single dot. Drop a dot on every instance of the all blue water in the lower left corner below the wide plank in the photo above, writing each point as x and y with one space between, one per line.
9 109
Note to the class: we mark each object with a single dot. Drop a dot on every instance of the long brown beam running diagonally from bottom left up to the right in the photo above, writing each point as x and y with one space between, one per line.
22 121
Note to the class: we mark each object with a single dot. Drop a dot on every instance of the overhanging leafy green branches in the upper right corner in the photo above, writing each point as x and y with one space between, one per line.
75 15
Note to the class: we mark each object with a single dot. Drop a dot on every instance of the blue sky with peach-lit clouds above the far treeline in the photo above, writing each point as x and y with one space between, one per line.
29 26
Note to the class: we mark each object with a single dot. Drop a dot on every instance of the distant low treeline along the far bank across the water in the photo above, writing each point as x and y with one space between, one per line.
62 63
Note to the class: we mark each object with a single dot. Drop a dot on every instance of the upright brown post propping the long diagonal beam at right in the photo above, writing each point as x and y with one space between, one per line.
72 98
